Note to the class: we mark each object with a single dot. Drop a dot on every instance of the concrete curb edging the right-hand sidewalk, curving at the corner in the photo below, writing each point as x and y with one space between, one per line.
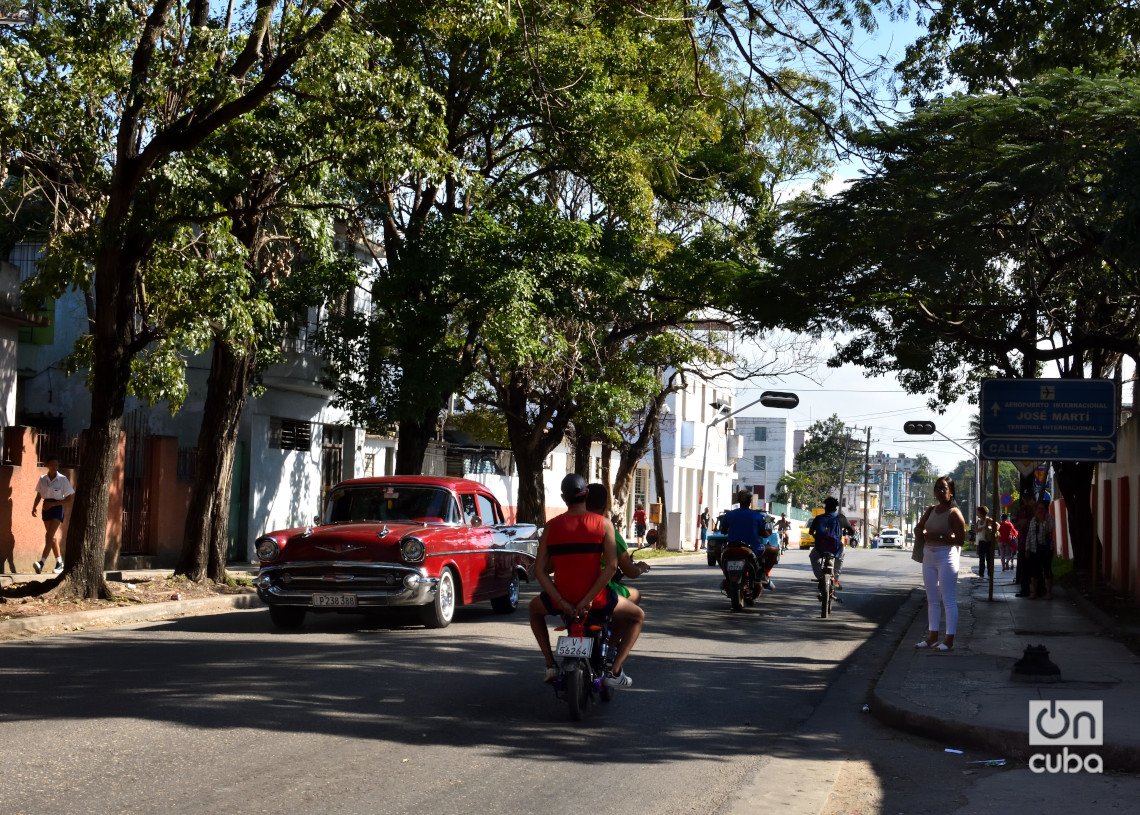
891 706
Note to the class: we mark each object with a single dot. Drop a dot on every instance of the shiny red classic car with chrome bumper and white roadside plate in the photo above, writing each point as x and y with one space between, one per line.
401 541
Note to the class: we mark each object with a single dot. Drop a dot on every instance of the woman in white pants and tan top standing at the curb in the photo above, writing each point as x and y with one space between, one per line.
944 529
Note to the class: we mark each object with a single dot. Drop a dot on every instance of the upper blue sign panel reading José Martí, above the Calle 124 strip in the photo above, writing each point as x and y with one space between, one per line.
1049 409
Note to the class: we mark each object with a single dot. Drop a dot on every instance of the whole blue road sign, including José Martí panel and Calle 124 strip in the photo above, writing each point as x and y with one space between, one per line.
1048 420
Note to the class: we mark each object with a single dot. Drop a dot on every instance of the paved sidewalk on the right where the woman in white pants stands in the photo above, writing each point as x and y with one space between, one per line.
966 698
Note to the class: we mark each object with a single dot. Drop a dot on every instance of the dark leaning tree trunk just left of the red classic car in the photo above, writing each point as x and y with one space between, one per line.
226 394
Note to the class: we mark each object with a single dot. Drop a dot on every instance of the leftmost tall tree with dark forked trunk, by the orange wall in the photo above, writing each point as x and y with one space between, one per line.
119 94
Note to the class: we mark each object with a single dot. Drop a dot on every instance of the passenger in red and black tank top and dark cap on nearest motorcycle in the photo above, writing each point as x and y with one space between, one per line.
574 547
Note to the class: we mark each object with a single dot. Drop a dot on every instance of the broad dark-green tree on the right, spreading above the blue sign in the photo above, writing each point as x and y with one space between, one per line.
973 251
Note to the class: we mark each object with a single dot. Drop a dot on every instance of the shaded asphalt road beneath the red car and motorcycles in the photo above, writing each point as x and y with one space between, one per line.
224 715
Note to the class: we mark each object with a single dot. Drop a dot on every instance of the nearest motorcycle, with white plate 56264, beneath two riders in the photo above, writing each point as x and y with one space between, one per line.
585 654
